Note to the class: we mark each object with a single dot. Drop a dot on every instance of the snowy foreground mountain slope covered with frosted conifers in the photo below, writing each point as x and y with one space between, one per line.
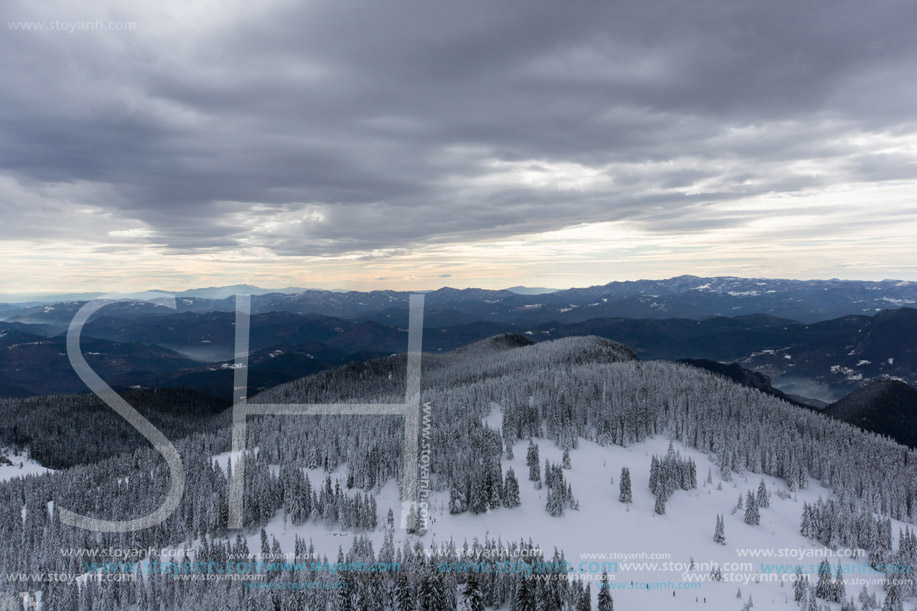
485 410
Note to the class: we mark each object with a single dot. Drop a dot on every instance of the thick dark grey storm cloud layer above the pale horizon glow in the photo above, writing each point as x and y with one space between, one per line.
320 128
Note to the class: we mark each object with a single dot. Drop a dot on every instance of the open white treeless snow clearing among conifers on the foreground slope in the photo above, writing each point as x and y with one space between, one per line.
602 525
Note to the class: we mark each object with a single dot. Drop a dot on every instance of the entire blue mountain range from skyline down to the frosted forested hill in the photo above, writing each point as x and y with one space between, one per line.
813 341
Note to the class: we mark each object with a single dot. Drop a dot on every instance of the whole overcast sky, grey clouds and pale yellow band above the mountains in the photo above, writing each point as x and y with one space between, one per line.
415 144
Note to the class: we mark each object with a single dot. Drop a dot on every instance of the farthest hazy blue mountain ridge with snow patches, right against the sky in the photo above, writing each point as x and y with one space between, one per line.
680 297
